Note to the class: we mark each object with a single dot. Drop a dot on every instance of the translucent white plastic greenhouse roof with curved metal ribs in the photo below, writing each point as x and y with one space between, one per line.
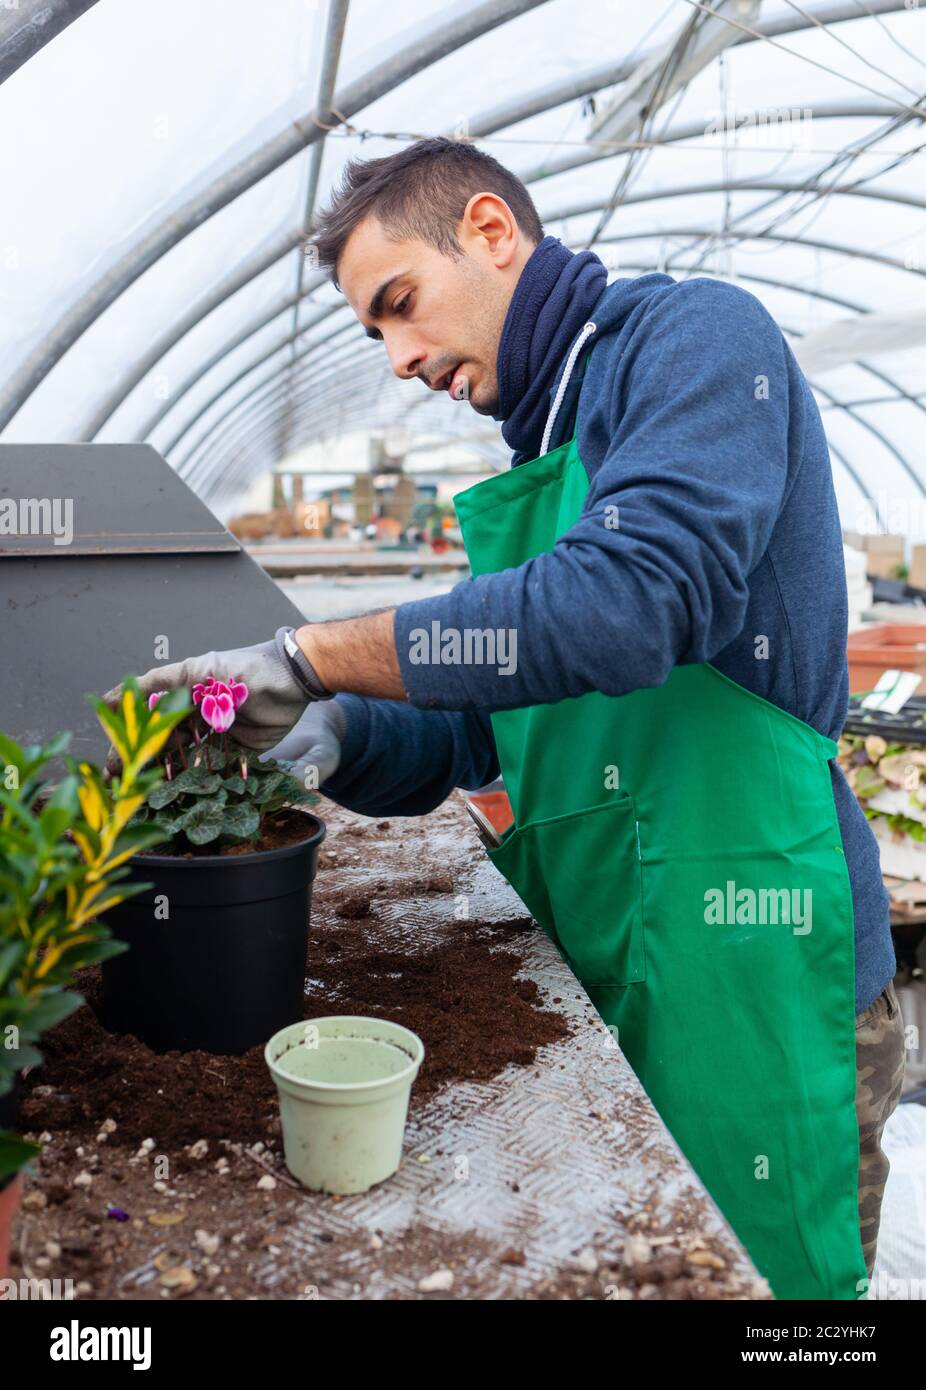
162 161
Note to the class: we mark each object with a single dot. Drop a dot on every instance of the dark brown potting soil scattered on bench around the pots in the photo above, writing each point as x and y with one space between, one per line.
462 997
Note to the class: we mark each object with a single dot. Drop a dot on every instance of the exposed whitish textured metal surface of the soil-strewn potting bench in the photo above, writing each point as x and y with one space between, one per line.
560 1161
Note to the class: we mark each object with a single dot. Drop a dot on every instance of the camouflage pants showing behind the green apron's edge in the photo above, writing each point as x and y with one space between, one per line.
879 1074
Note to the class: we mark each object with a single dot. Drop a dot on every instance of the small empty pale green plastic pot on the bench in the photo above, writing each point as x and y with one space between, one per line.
344 1097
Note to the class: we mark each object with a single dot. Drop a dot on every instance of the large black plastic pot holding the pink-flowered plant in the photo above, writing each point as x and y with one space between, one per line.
218 949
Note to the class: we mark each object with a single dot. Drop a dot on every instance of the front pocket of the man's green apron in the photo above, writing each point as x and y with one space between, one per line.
580 876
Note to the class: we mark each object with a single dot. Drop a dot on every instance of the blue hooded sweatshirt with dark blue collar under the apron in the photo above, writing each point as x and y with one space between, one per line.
699 425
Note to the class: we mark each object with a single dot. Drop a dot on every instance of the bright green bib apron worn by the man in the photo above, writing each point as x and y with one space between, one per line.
682 849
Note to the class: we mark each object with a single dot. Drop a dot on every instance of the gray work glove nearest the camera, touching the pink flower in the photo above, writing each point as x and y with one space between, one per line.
276 698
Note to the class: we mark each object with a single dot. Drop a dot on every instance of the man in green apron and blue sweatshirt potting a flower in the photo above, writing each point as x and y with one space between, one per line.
653 651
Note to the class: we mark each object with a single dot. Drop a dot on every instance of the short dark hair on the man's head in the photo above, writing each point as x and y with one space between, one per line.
421 193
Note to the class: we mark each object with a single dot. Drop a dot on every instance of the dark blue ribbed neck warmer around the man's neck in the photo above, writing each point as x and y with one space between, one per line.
553 300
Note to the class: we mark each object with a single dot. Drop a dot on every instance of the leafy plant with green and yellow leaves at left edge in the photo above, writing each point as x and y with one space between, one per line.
65 854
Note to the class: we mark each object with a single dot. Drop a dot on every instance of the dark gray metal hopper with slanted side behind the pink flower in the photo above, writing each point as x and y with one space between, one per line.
105 553
